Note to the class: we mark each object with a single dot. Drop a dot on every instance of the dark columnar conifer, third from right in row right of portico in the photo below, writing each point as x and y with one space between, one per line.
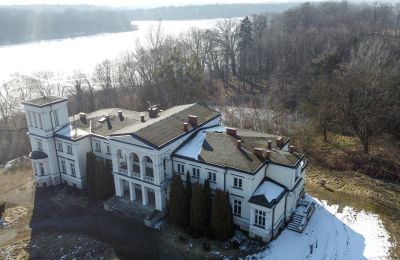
197 220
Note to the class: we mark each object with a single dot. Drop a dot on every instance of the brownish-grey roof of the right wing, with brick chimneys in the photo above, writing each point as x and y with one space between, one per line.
221 149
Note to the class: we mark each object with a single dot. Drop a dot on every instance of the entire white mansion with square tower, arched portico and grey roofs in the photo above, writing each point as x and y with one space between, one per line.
263 175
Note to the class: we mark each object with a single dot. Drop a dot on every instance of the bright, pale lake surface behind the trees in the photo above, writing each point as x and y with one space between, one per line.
82 53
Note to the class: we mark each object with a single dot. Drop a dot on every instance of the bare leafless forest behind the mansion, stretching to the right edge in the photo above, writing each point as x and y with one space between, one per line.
321 68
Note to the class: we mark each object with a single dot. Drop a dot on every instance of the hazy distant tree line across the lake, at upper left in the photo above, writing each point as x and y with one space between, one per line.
25 24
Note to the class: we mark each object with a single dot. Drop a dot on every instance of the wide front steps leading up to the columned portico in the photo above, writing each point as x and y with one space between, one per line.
130 210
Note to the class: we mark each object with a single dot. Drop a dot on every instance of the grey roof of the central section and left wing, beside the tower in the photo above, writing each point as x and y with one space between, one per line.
158 131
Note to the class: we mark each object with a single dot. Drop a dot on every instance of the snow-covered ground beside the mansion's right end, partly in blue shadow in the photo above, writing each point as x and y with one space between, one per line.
333 233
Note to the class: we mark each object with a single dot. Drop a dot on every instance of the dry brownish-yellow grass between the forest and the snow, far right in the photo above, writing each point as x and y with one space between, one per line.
350 188
